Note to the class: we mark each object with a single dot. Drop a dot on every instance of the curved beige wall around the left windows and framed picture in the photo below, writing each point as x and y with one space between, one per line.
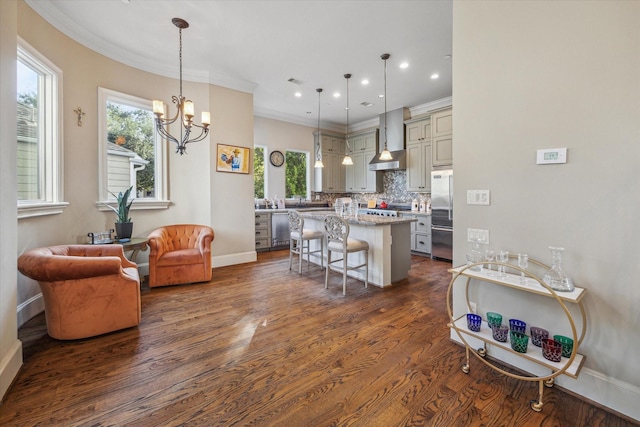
194 186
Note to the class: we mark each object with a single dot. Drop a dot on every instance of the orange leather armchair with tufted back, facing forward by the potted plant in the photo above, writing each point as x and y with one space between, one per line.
179 254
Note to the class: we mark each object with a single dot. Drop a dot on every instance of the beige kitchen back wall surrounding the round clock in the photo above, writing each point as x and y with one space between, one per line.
277 135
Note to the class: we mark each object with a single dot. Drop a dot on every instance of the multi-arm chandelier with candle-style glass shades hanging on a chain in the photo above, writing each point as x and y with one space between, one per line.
184 111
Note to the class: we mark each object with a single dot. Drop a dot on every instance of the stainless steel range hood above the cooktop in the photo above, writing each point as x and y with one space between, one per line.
395 141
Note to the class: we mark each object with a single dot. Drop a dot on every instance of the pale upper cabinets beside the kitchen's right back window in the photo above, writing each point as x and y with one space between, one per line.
330 178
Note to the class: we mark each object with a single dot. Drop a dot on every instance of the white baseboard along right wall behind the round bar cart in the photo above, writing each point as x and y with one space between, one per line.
612 393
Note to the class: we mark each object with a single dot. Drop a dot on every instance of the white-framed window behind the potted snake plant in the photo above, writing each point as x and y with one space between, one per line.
131 154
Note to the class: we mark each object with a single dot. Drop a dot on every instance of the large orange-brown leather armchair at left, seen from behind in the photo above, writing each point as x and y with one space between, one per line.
88 290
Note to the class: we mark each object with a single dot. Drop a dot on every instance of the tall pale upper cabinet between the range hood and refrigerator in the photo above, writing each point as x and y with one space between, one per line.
419 152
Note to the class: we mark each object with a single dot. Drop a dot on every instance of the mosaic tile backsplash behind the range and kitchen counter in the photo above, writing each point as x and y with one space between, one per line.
394 191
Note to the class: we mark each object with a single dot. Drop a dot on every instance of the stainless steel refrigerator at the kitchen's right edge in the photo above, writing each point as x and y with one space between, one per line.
442 214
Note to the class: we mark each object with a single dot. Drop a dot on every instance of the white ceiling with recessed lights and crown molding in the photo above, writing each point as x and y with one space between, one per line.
256 46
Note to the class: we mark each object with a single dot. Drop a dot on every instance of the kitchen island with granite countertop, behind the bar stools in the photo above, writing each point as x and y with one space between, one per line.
389 241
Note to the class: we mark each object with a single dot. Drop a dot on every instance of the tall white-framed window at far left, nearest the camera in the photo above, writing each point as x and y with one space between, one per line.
39 139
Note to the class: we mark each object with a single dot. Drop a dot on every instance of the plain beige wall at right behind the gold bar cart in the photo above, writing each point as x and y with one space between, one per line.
531 75
